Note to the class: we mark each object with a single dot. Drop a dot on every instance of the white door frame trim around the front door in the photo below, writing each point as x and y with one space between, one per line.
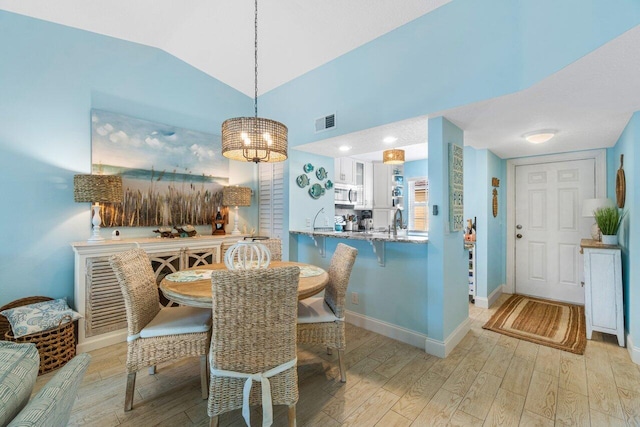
600 158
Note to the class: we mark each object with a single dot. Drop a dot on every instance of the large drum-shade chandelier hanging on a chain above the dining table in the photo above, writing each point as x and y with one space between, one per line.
254 139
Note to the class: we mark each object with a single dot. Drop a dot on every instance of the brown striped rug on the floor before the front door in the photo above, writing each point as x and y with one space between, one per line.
550 323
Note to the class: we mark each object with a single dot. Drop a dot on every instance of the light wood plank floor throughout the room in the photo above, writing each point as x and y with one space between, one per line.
488 380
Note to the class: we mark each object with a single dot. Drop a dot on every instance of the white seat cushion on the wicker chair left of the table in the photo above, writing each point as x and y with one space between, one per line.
178 320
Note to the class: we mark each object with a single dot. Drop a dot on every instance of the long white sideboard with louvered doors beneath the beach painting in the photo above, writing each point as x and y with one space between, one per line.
97 293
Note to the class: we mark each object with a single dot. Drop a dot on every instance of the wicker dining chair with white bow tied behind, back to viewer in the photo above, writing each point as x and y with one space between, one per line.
253 337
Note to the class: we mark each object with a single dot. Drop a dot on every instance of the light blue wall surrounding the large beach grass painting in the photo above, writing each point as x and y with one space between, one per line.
50 78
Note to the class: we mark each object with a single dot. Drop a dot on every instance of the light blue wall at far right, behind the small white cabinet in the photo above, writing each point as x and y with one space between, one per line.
629 233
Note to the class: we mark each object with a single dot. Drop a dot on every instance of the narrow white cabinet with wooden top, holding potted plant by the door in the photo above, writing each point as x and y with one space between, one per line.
603 289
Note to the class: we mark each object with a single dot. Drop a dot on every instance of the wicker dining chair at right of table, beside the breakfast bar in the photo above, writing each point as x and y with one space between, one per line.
321 319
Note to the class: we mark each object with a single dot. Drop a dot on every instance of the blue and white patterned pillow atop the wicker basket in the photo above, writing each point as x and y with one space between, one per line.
38 317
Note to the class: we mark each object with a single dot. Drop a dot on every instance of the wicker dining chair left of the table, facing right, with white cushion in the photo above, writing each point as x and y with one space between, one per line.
157 334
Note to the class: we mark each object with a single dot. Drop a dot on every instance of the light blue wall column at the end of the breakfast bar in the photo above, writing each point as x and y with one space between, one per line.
447 262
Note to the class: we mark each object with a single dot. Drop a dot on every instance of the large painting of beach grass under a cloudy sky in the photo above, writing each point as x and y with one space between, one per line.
170 175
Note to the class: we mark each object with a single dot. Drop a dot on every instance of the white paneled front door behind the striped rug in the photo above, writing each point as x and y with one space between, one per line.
549 226
